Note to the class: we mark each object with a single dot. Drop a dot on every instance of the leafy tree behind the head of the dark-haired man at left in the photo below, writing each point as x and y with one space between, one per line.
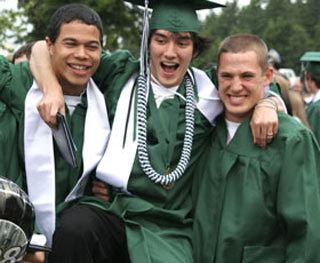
121 23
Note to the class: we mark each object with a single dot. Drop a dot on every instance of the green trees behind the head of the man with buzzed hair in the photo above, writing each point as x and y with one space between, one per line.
290 27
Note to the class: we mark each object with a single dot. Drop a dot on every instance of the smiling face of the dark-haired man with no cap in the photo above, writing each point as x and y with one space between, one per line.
75 55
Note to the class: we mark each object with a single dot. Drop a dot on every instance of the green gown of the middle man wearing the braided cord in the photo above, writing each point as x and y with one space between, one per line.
158 222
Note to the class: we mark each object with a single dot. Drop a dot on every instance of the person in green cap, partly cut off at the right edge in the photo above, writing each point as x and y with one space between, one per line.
312 84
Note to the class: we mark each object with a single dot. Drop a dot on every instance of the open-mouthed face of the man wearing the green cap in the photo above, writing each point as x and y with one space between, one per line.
170 56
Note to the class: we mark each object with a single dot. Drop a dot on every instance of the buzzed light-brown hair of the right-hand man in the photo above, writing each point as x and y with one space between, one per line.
245 42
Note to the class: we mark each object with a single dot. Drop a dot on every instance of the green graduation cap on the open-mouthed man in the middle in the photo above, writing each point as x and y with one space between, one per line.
176 15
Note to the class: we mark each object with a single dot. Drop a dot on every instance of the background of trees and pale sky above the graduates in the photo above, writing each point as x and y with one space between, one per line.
290 27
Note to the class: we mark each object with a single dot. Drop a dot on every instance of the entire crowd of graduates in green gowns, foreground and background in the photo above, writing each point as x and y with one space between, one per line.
172 164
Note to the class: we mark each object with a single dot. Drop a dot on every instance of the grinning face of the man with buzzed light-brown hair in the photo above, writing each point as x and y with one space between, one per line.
241 83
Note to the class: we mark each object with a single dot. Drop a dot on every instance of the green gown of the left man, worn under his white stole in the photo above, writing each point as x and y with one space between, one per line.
16 80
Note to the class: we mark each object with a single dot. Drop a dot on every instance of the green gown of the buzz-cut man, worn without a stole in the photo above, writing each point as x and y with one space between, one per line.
258 205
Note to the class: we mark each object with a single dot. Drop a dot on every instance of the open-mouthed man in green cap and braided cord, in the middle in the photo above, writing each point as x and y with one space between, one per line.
157 136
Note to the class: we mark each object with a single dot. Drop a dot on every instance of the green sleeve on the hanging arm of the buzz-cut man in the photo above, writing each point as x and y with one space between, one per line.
298 201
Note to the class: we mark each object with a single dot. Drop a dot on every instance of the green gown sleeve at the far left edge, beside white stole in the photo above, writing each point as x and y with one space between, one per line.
13 82
